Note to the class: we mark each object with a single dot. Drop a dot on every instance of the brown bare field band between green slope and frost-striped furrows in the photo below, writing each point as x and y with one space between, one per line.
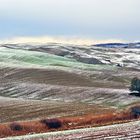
66 78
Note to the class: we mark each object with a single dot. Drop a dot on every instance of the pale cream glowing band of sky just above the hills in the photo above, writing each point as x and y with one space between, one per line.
60 39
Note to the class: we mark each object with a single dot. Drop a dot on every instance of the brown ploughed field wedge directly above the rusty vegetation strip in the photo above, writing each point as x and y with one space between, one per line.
19 109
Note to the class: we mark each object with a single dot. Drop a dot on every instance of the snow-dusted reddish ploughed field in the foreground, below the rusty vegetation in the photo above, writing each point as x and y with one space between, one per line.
126 131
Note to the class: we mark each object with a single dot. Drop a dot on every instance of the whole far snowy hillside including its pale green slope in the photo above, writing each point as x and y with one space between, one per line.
75 56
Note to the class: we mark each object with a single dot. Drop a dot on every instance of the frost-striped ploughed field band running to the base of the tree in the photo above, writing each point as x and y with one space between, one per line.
47 92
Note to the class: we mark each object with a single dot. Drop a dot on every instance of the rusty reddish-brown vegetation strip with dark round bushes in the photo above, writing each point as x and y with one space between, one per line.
46 125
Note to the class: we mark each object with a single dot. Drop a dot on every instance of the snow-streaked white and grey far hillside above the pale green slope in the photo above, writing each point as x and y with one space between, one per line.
128 57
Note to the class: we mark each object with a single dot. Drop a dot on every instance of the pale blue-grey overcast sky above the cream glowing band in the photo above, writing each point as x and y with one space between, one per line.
97 19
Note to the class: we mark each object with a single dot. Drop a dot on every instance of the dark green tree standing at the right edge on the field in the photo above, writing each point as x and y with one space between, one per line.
135 84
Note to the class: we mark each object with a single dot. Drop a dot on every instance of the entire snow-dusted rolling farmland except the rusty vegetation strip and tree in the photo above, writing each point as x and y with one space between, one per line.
56 80
